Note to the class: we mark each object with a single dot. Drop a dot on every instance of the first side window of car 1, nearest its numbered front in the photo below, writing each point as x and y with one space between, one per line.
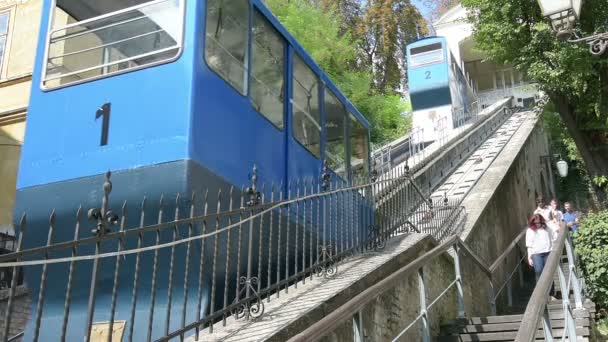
227 39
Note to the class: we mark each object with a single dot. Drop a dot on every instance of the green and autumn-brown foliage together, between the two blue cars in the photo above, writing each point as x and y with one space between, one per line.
333 33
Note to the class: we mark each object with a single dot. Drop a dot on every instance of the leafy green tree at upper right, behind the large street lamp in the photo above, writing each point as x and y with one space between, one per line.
514 32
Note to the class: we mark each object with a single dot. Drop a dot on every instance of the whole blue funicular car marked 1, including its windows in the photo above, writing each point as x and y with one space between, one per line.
172 96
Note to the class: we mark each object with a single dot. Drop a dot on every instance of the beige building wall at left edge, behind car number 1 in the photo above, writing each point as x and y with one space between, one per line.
15 83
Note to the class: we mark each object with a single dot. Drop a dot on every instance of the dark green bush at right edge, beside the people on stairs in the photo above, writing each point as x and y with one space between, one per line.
591 243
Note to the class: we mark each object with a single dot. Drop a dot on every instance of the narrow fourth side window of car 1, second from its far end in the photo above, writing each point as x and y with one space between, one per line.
335 123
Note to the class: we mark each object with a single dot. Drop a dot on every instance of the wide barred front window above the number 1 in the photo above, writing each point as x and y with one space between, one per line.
92 38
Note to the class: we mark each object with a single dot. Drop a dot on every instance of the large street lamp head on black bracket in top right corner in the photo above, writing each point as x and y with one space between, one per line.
564 14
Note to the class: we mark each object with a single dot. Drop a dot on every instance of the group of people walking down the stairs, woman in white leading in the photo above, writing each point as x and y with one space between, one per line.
543 228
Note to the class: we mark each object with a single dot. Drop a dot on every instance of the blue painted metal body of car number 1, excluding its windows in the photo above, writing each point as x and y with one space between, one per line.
176 127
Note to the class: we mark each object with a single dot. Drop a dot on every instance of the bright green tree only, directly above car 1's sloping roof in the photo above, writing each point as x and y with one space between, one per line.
321 32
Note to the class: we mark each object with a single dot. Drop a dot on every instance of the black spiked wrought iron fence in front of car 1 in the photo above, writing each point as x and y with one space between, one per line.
171 269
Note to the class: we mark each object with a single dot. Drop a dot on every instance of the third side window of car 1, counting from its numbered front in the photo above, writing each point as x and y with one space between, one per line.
306 111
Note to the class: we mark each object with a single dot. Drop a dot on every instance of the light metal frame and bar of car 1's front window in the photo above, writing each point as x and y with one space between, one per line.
50 31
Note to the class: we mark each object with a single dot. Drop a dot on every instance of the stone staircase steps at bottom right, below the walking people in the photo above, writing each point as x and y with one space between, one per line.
505 326
